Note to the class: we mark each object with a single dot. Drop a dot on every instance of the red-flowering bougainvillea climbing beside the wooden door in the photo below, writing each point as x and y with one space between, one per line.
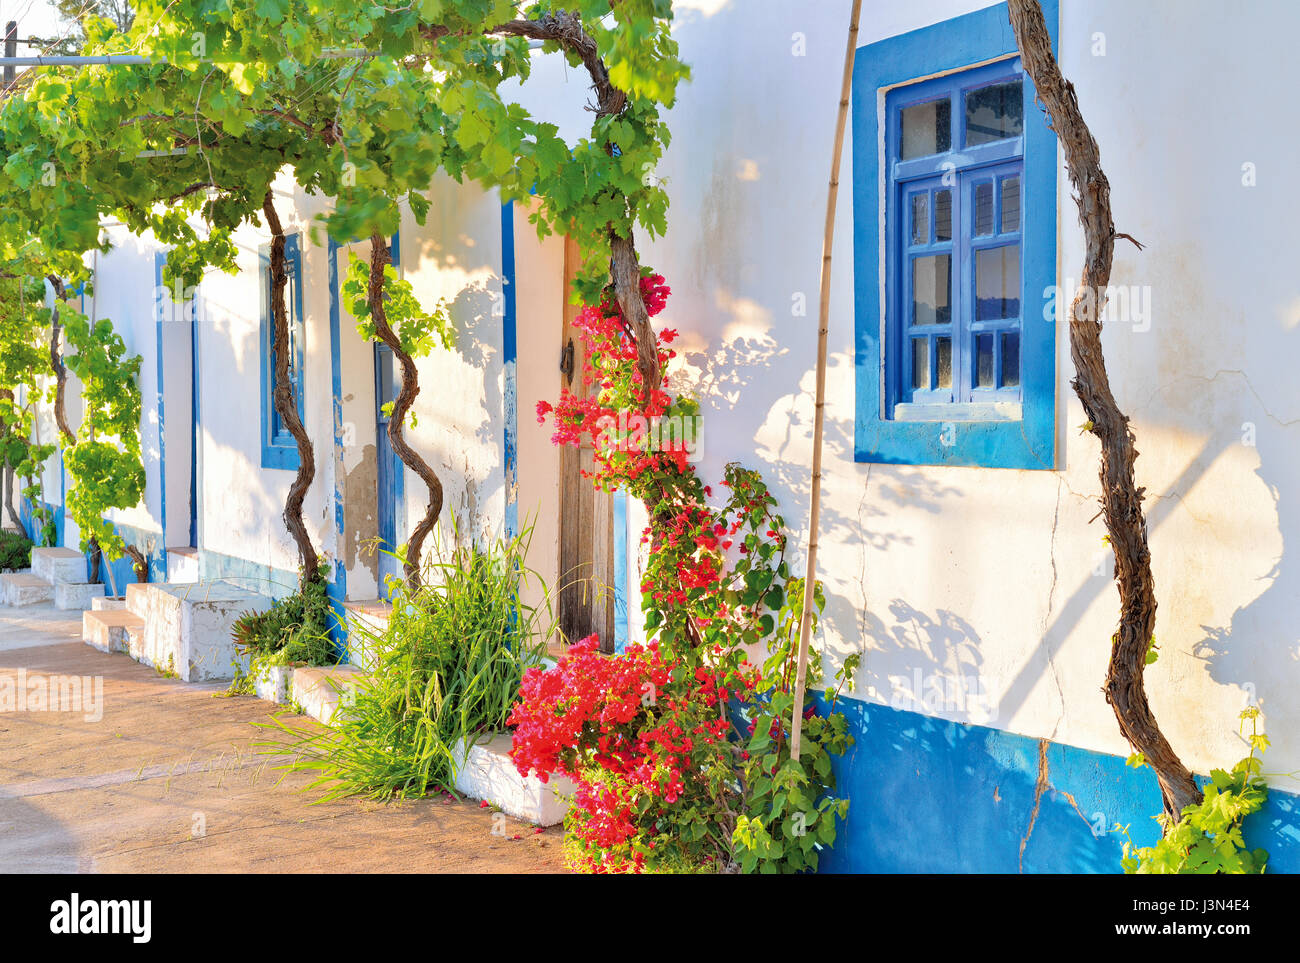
679 749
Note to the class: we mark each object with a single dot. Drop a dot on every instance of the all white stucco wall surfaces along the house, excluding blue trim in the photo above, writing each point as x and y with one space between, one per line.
959 574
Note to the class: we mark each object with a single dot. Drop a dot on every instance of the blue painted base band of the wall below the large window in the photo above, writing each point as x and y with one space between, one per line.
931 796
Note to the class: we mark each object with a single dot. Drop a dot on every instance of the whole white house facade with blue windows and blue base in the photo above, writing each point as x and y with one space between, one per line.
959 548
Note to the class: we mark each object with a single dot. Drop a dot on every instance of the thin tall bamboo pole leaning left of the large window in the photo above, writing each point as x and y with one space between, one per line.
820 418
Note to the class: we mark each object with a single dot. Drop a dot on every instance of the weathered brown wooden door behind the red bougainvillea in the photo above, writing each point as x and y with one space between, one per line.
587 596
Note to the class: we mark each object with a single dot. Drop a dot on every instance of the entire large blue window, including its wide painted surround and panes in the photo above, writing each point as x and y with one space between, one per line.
955 211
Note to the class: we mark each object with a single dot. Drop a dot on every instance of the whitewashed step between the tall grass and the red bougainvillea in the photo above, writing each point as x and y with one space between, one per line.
488 773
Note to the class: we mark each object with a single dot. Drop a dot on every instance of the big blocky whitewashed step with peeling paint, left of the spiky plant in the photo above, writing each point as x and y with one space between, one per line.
188 627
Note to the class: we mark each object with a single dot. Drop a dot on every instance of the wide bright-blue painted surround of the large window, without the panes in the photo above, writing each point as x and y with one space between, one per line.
1026 444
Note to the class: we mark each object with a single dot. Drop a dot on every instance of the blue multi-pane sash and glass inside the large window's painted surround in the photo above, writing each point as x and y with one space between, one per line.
956 175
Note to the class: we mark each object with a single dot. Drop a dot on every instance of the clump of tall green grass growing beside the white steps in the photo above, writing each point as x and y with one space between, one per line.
448 669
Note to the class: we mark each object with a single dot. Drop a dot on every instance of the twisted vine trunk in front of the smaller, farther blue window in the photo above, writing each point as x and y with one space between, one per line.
287 401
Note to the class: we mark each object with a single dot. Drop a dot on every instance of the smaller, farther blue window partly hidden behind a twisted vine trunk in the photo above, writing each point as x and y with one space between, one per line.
279 449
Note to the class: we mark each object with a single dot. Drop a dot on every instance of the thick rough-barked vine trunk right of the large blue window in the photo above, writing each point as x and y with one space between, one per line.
1121 498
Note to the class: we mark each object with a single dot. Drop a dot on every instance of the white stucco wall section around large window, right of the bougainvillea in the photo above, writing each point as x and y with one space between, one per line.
982 574
